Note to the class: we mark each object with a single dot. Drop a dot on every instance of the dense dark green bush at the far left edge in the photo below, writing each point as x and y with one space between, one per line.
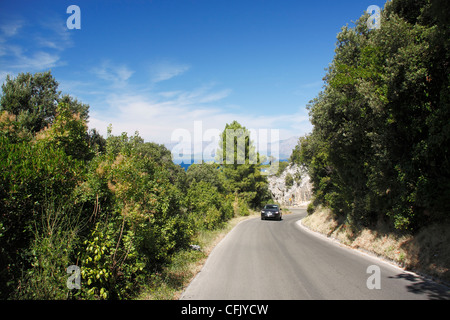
31 174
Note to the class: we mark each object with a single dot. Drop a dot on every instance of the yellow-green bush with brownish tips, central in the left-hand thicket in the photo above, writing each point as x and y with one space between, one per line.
137 212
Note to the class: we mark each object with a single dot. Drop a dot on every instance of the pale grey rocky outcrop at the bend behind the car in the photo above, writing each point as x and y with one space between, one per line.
291 195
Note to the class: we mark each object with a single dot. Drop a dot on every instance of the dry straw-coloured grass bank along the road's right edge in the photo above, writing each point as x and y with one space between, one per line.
427 252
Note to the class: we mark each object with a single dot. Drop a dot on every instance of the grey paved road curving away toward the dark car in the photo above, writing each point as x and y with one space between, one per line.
282 261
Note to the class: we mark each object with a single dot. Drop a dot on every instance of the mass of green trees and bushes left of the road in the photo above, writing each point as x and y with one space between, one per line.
117 206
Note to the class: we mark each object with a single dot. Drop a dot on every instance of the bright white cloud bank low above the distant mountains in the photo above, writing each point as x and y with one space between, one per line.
157 116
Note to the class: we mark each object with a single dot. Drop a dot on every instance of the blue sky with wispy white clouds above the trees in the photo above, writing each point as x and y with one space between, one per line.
155 66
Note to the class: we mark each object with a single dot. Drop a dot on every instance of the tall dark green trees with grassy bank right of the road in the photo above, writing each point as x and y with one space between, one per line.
378 155
